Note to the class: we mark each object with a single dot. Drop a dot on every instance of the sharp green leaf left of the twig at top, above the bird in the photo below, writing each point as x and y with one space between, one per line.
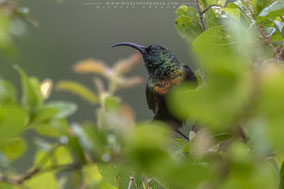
188 24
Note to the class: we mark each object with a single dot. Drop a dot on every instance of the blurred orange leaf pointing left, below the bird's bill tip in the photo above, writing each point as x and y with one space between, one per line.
92 66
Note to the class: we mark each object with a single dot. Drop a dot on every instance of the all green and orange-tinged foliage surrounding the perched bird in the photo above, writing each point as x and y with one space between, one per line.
237 109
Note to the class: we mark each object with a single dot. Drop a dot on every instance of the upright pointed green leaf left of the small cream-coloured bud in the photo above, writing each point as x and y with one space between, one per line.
31 98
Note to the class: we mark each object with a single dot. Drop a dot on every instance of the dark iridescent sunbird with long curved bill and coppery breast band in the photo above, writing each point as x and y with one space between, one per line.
164 71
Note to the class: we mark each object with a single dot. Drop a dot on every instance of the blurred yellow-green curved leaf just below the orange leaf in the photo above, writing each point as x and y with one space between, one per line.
78 89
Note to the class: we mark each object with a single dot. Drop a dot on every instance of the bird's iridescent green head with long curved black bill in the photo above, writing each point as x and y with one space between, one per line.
156 57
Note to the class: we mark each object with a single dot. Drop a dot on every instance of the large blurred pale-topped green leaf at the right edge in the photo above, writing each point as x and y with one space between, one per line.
270 107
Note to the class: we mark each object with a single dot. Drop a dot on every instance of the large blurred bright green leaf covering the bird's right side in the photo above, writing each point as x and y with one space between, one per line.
219 100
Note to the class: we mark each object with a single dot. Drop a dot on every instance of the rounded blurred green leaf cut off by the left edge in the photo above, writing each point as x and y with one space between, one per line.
12 122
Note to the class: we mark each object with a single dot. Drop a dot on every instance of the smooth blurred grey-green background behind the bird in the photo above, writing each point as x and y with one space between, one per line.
72 30
